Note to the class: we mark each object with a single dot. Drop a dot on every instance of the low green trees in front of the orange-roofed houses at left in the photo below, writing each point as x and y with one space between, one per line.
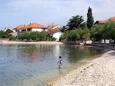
27 36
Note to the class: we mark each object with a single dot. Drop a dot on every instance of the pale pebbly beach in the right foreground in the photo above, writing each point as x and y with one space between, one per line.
99 72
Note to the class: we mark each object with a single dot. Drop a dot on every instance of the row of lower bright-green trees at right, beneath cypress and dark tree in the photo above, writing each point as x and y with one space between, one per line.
96 33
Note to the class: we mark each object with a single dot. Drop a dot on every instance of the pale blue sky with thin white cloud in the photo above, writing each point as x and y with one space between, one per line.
58 12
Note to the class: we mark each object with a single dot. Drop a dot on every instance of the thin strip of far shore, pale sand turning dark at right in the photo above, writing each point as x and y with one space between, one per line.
104 47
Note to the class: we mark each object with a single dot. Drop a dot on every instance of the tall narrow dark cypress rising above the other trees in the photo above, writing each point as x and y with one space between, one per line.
90 20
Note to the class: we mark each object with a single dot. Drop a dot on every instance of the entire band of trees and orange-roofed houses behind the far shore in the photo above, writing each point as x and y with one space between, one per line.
76 30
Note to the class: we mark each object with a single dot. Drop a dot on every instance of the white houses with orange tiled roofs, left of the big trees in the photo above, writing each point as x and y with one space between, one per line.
53 30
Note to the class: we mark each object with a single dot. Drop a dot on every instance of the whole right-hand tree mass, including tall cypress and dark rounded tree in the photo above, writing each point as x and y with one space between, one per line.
78 29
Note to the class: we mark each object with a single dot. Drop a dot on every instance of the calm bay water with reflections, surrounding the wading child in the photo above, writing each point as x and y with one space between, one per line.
35 65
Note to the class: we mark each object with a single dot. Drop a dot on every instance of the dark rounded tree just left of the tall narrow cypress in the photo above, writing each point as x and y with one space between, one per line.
75 22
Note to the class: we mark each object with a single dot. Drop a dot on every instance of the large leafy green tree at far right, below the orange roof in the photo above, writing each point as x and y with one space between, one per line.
99 32
